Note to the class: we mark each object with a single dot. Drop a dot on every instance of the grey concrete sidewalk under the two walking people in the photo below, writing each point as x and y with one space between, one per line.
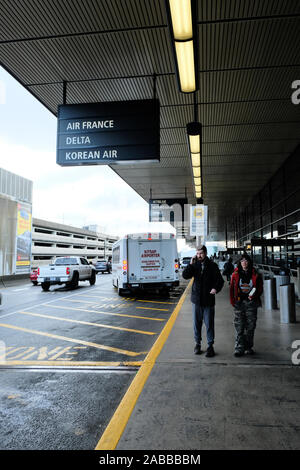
196 403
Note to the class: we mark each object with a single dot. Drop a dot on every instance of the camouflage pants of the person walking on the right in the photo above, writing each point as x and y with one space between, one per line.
245 316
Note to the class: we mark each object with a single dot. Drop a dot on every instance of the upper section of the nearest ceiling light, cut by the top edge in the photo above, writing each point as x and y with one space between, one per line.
181 15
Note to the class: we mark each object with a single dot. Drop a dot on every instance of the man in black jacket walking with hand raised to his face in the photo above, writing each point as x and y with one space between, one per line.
207 283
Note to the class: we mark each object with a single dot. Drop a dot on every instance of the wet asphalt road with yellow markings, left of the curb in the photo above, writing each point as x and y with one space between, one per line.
68 357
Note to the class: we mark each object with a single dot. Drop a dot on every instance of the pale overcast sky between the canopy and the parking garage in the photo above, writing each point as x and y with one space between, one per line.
75 196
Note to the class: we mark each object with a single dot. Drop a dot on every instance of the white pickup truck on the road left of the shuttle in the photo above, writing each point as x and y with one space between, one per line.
66 270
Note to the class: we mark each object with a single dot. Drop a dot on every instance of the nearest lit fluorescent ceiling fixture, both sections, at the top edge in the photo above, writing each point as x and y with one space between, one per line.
182 18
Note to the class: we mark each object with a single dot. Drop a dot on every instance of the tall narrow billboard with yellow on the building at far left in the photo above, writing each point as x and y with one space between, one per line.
23 244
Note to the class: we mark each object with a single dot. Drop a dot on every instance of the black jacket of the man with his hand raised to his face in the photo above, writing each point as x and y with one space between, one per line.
207 276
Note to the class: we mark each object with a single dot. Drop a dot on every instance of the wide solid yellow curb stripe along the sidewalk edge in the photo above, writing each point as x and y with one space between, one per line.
116 426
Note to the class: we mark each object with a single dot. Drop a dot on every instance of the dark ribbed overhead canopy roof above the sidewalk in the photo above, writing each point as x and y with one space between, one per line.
108 50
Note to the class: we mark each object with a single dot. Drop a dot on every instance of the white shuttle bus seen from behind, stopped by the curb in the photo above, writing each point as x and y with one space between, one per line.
145 261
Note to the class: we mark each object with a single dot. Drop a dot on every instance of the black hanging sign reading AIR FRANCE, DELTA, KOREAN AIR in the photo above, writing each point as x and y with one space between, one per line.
108 133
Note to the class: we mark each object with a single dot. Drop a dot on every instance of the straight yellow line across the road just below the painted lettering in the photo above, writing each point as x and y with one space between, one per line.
74 363
